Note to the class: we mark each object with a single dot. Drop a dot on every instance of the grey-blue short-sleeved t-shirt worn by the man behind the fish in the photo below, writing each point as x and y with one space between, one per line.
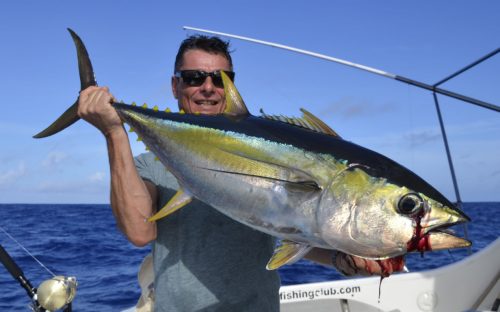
205 261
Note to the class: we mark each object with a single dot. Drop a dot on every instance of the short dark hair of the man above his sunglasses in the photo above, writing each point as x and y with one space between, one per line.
213 45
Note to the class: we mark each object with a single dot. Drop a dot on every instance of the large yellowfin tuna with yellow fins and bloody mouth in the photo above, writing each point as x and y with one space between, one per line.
293 178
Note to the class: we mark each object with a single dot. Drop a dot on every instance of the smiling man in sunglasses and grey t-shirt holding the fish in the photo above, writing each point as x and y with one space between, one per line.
203 260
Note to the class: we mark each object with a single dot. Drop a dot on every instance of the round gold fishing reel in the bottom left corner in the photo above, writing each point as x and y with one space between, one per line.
56 293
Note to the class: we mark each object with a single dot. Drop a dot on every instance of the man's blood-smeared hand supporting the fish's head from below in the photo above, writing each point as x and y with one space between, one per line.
352 265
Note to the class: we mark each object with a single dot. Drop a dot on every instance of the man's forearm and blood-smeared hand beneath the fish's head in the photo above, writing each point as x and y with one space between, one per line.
352 265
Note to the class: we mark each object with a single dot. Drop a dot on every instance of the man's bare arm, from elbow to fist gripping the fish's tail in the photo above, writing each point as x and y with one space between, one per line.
132 199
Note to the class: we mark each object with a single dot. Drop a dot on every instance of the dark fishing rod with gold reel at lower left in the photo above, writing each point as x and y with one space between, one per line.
52 294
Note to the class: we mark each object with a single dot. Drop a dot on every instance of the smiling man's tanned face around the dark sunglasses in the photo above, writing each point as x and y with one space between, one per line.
205 99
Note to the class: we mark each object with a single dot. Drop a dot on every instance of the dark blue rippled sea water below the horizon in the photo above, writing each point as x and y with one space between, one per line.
83 241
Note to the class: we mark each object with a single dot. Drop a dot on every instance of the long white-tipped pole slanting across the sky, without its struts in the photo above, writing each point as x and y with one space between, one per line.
412 82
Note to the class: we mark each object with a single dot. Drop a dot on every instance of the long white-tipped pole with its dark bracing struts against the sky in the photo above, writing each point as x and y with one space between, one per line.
434 88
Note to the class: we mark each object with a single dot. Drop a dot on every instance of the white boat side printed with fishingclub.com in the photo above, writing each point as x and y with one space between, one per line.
471 284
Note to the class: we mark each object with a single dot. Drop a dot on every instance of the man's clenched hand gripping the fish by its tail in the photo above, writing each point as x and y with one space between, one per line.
94 106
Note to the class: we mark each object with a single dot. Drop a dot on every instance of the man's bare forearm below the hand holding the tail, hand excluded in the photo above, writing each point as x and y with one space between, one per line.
130 199
